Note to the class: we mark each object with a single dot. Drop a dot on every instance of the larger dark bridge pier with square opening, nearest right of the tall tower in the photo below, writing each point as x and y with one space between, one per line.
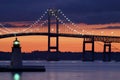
86 53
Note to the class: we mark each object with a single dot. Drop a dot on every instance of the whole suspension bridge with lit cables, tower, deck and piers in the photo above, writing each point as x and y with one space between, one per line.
54 18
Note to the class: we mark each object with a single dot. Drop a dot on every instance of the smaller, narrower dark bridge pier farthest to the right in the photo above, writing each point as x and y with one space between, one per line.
107 51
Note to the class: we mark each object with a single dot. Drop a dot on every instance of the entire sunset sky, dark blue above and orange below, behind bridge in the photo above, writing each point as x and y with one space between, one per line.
100 17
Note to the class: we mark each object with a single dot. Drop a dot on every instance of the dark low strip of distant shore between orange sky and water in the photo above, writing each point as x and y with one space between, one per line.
44 55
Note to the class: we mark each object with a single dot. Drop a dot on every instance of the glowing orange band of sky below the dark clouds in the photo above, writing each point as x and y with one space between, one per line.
31 43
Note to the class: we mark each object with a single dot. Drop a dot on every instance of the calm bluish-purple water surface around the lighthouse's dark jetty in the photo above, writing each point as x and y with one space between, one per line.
69 70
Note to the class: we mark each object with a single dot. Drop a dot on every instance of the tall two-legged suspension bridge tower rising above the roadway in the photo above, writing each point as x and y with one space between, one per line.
51 13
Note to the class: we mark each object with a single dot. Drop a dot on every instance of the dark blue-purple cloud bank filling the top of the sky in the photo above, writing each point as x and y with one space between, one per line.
87 11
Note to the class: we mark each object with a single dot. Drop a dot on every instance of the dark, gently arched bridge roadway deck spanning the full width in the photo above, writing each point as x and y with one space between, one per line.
111 39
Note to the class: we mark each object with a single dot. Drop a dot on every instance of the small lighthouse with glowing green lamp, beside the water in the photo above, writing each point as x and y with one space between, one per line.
16 61
